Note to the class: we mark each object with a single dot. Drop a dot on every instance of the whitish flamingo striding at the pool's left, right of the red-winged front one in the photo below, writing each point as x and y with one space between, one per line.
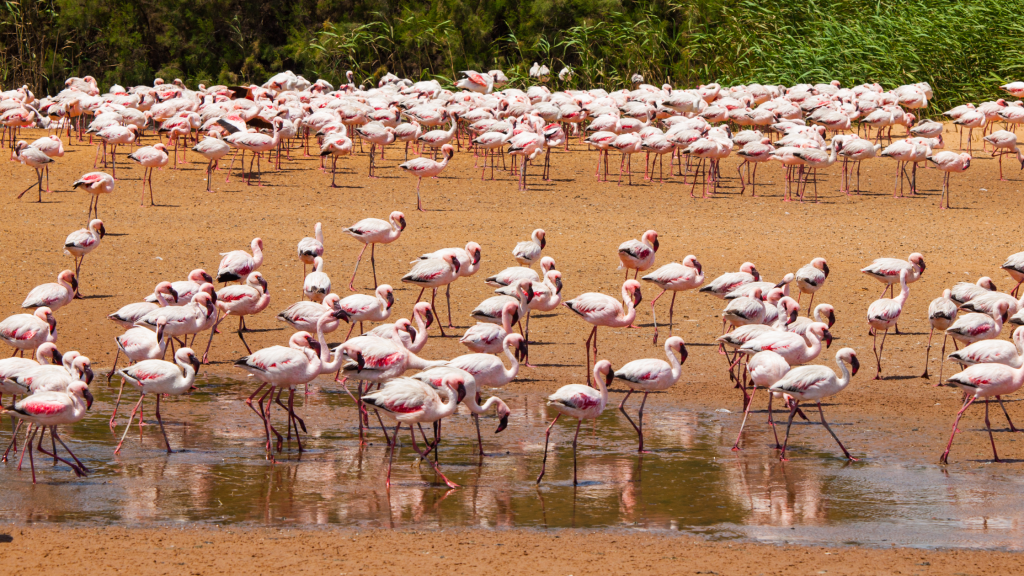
160 379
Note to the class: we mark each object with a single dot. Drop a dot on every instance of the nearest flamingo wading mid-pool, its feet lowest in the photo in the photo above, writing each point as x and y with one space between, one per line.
407 401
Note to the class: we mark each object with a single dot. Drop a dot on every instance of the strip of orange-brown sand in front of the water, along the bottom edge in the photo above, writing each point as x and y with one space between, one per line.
230 551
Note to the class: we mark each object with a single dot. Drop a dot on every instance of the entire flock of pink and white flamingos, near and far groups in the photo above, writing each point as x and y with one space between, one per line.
766 343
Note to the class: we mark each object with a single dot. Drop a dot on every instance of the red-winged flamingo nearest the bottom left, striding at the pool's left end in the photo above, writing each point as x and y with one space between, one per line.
52 409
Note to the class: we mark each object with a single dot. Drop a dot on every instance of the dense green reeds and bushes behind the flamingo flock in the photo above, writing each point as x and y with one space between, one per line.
964 49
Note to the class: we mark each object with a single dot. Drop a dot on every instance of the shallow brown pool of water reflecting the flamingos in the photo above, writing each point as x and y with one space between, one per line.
692 481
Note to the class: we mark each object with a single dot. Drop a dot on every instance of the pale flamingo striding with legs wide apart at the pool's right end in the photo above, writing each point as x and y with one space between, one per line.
816 384
